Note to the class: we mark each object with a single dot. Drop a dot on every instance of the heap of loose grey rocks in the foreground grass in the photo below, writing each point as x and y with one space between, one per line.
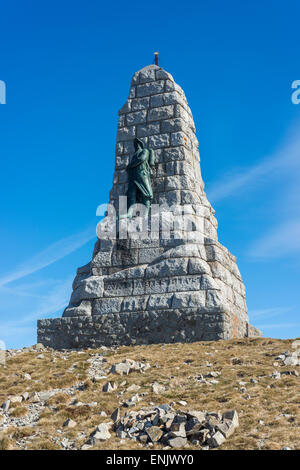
163 425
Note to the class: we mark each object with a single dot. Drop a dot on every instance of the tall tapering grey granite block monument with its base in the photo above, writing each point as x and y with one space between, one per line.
176 283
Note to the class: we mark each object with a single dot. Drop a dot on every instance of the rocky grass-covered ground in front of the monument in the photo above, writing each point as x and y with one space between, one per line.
237 394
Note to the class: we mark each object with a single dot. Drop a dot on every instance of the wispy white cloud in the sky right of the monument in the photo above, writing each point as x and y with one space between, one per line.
282 168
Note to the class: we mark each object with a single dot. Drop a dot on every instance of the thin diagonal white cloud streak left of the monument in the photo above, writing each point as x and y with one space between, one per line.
50 255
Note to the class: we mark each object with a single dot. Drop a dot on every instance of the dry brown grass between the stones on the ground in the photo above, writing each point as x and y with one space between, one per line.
175 366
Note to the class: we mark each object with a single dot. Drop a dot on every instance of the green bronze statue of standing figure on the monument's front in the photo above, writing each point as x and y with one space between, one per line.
139 177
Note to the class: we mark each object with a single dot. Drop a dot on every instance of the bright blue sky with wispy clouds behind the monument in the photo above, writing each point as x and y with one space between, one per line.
67 68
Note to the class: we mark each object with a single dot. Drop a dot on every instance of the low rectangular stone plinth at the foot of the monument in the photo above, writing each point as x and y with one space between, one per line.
117 329
